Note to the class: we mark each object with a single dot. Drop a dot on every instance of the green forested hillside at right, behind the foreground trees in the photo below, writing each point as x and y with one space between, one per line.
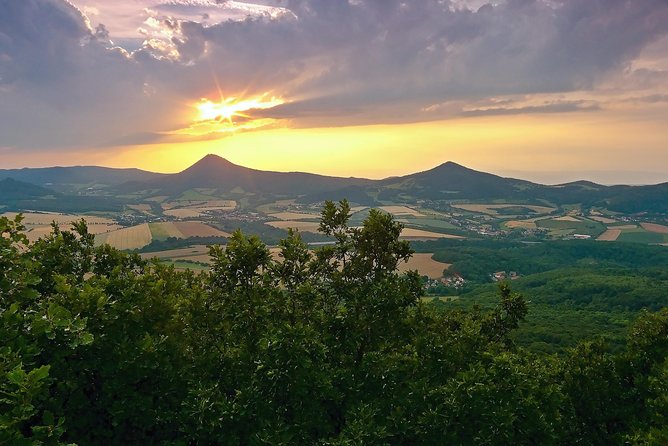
576 289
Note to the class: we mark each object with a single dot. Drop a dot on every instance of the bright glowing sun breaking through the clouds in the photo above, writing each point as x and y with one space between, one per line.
228 109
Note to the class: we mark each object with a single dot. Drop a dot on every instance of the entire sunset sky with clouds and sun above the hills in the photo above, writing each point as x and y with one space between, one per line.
545 90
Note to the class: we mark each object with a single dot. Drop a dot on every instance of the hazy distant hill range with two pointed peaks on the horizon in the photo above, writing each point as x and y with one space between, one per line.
220 177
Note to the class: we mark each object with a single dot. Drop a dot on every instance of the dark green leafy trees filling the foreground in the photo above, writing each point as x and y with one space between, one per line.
330 347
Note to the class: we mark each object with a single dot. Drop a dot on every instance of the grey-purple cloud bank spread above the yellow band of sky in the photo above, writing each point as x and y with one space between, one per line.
65 83
